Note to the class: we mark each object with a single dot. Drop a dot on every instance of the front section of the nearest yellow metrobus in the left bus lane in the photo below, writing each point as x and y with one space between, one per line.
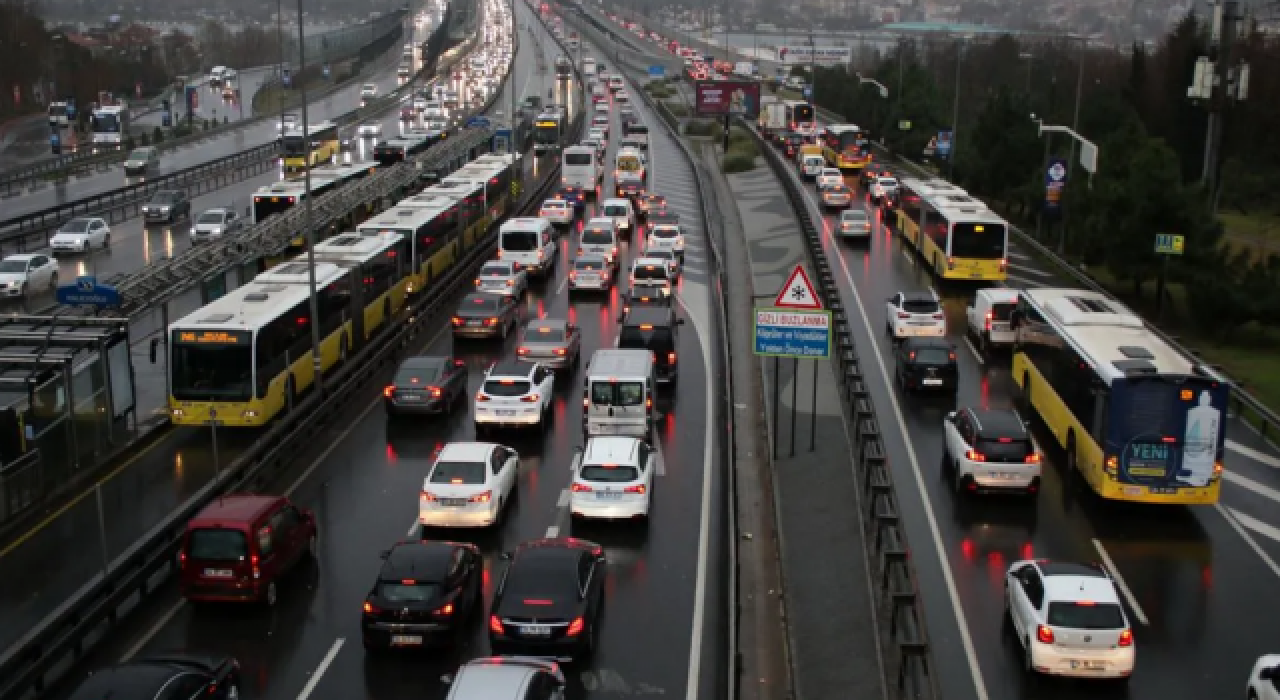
248 355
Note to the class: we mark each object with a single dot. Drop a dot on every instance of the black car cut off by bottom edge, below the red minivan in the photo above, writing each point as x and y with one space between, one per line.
176 676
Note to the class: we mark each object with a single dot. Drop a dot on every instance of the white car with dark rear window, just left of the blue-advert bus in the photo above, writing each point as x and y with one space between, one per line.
990 450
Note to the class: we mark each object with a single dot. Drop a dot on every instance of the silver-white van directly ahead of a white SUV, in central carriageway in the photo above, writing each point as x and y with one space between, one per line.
619 394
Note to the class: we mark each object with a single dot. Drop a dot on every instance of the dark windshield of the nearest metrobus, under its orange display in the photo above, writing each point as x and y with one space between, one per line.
213 372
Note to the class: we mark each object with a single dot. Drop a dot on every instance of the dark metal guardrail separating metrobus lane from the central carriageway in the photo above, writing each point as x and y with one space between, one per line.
68 635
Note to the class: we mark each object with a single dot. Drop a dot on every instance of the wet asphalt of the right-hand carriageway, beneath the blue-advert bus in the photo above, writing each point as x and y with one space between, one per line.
1194 577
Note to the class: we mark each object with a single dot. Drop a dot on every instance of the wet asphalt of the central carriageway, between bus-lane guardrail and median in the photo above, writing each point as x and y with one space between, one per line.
364 489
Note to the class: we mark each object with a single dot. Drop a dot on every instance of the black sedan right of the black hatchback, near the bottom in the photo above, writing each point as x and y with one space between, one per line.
550 601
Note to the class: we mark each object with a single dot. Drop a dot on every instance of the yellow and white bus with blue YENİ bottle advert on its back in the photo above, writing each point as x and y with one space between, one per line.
1140 420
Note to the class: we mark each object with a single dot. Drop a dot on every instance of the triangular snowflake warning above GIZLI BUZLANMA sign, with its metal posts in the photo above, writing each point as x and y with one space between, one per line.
796 327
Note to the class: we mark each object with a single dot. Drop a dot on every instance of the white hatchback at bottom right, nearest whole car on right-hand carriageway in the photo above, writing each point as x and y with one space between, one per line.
1069 620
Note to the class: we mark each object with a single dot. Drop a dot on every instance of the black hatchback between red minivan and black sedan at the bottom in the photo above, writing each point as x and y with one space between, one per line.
426 594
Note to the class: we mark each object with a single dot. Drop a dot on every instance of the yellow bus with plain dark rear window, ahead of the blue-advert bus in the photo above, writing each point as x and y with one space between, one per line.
956 235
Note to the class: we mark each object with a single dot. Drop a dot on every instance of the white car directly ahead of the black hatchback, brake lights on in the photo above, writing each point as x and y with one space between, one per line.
468 486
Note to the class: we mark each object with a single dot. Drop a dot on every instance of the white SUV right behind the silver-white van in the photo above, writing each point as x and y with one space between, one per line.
614 479
